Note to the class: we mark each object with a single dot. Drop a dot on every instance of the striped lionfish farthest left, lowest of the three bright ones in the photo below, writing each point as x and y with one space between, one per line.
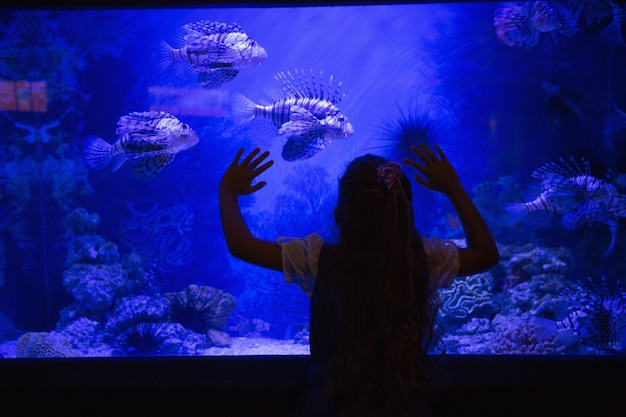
150 139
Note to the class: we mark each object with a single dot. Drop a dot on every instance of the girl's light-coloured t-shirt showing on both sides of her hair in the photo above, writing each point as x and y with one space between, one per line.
301 256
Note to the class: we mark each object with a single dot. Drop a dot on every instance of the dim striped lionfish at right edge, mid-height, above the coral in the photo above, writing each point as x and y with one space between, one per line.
569 192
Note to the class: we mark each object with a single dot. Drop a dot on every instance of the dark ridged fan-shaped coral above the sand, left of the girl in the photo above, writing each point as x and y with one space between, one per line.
201 308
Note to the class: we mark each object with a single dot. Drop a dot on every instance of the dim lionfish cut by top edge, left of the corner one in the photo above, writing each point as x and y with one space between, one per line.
521 25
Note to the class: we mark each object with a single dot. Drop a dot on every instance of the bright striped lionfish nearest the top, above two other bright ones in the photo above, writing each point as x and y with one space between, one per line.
215 51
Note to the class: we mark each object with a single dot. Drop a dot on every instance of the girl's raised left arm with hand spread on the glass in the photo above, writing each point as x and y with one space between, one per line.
237 181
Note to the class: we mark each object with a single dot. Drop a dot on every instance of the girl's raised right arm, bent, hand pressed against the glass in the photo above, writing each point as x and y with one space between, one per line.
439 175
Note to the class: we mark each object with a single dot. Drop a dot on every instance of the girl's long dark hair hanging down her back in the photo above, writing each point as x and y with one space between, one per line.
384 298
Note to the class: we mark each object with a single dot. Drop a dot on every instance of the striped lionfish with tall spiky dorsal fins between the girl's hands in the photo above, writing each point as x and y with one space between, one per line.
305 113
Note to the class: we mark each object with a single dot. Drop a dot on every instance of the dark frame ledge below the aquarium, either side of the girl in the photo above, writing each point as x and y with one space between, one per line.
481 386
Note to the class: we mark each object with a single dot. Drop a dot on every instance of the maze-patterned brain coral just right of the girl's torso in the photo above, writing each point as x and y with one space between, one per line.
467 297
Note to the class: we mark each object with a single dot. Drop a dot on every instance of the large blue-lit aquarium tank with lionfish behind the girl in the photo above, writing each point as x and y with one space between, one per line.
117 125
